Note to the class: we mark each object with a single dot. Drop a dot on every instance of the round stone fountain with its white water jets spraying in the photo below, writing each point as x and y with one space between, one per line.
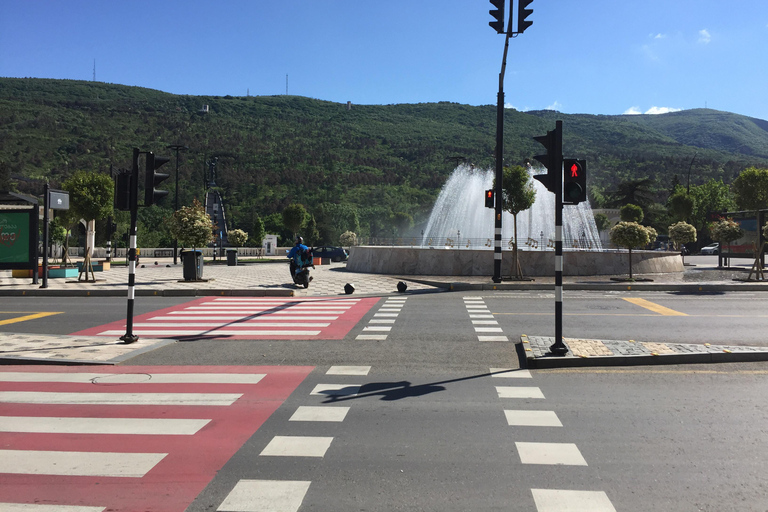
458 238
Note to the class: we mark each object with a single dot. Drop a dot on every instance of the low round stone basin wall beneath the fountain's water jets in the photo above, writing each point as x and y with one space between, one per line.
434 261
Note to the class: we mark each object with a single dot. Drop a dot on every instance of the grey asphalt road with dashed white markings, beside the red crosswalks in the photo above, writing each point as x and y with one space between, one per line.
434 424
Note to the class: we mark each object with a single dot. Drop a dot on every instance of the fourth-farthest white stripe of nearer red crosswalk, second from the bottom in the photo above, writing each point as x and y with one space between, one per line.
38 462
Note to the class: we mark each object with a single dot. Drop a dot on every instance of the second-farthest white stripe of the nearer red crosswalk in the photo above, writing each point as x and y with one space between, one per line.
48 397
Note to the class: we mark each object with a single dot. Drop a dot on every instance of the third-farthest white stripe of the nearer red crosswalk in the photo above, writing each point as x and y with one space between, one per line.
129 426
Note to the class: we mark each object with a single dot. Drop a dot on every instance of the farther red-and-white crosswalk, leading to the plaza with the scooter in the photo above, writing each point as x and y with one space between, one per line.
247 318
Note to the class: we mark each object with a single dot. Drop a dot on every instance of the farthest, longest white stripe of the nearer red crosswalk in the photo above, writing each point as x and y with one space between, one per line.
133 378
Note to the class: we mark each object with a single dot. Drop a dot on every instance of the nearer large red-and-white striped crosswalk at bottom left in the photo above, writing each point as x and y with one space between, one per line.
127 438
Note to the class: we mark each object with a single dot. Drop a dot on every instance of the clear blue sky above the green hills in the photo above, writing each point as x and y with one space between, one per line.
594 57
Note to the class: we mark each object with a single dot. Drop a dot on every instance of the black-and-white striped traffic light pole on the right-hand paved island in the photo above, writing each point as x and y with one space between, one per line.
553 180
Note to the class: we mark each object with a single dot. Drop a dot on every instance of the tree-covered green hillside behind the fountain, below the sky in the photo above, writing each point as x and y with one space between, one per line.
380 159
